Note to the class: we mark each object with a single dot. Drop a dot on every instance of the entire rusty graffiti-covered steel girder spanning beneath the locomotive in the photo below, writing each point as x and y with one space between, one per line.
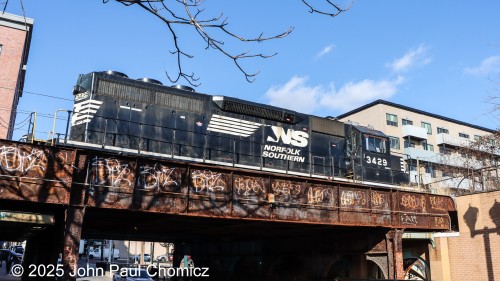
109 180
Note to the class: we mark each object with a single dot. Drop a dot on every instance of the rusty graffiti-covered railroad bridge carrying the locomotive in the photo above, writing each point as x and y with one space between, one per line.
242 224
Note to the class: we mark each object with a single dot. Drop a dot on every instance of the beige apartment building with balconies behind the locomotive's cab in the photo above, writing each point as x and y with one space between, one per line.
432 145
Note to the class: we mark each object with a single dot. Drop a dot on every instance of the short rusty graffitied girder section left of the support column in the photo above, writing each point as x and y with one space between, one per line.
35 173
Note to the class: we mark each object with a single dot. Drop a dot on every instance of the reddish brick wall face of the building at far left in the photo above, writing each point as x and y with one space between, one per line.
13 41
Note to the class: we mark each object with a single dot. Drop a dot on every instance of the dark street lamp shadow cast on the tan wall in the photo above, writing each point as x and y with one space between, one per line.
471 216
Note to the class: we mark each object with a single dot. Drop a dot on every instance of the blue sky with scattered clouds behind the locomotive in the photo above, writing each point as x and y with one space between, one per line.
438 56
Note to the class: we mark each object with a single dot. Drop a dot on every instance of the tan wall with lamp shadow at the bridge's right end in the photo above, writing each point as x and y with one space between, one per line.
475 254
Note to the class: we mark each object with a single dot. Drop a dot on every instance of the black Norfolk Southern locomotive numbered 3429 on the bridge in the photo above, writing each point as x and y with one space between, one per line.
142 116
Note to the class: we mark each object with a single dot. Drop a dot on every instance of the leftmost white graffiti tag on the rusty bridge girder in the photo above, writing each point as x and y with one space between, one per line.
16 160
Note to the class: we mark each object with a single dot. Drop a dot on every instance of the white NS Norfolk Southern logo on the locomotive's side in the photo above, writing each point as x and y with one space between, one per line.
288 137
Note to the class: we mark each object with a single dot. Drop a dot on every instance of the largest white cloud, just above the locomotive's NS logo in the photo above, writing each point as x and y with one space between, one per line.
299 96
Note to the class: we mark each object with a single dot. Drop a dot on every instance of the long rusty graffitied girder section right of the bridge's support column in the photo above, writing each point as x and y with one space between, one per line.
201 190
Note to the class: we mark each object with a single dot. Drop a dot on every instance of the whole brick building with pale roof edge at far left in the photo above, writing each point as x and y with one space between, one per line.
15 39
